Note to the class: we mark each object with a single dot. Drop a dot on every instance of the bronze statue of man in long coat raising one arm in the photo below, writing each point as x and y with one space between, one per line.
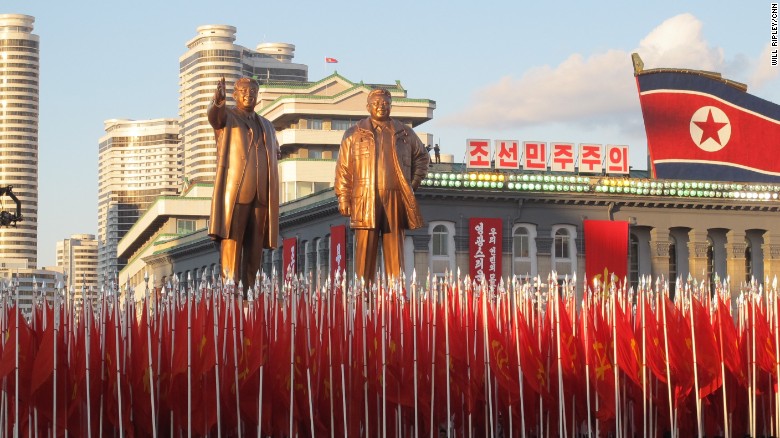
245 203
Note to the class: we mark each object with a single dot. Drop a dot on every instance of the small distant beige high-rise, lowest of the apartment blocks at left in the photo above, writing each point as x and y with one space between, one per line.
77 257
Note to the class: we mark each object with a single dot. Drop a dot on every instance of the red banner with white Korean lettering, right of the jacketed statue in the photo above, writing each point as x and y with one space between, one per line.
485 249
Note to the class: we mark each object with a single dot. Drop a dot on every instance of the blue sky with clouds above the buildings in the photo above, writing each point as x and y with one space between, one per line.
503 69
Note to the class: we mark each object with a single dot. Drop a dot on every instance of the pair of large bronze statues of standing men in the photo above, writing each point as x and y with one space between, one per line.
381 162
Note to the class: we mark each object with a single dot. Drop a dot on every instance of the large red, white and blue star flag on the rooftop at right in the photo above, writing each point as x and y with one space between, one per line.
701 127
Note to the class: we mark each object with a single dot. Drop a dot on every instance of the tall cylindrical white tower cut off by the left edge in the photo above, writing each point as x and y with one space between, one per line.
19 53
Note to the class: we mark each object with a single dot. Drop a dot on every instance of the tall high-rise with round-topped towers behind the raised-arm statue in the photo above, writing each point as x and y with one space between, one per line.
211 55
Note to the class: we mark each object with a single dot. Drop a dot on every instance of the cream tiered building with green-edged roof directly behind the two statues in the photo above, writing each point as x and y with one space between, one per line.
310 119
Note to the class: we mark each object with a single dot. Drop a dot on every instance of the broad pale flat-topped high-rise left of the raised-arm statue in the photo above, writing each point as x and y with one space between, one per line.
138 161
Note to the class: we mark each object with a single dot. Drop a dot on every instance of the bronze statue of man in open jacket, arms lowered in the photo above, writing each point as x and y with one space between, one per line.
381 162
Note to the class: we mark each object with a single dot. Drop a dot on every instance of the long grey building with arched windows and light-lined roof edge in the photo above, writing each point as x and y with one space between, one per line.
705 230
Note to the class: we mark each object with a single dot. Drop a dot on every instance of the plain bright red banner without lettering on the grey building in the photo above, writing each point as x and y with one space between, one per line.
606 249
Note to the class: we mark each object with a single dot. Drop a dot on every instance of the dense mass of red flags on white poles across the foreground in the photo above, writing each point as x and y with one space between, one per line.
526 359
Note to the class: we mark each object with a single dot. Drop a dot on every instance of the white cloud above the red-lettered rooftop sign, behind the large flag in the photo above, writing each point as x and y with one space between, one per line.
598 90
